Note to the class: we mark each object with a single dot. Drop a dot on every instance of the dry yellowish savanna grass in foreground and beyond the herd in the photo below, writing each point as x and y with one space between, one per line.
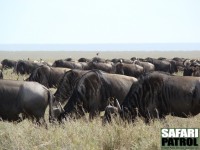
84 134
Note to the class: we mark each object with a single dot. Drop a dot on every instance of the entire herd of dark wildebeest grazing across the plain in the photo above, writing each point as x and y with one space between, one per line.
127 88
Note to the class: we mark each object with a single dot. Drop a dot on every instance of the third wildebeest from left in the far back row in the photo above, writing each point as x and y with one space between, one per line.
67 64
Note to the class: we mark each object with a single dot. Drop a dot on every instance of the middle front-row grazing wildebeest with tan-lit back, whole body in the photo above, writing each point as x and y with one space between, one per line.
91 93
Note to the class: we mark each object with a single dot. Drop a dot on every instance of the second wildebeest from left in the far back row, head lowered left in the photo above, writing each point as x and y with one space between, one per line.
26 67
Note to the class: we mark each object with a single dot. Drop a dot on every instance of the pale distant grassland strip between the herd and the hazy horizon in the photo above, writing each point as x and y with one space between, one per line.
52 55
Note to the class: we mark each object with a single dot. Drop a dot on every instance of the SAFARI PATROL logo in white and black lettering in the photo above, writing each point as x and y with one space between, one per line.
180 138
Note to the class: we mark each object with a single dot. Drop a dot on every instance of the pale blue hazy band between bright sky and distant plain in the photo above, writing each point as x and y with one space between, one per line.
102 47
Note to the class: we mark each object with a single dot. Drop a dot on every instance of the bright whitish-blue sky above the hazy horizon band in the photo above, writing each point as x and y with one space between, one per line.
99 22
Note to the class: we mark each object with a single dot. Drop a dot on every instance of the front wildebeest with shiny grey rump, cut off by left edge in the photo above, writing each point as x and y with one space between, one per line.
29 99
